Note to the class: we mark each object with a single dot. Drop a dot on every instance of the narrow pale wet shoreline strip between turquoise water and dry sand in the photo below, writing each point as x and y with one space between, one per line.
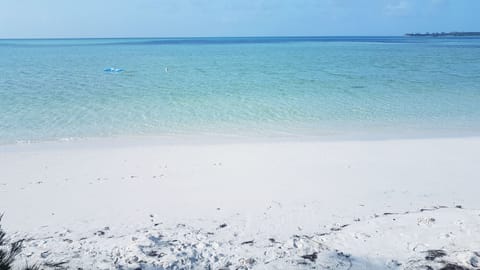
224 139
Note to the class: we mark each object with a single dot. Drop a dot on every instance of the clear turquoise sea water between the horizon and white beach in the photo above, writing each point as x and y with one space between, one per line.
267 87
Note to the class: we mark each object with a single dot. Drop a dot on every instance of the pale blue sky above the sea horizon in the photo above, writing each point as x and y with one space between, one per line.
167 18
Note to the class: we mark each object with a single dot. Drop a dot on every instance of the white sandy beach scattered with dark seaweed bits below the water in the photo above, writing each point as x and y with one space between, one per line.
384 204
